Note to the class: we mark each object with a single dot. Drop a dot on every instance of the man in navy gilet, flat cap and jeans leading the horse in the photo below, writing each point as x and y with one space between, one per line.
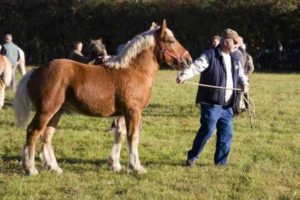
219 66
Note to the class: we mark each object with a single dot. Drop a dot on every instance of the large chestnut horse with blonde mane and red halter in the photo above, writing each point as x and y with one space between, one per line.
120 88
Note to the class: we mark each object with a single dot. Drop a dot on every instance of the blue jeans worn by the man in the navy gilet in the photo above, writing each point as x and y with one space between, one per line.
214 116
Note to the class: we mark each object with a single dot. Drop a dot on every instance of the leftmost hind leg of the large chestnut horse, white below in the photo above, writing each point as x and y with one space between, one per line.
34 131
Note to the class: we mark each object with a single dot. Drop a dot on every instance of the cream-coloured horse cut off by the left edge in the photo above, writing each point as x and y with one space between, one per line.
5 77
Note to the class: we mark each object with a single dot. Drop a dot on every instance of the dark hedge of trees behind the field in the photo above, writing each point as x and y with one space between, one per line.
47 29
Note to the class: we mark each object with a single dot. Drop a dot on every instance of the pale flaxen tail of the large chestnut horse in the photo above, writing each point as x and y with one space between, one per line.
22 103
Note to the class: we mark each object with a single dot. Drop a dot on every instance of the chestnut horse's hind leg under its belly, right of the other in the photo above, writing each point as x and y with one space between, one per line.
47 155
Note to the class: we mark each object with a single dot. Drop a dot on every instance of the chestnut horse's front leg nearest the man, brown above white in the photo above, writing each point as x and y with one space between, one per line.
133 121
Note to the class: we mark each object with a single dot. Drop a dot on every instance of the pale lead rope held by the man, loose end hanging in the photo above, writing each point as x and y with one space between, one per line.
250 108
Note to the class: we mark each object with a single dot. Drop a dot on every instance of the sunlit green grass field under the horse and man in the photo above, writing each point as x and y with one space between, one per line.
264 160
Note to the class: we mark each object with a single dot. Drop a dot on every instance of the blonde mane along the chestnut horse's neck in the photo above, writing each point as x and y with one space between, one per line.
131 50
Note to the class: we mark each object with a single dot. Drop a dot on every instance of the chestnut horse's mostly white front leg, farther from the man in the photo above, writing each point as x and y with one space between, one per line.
120 134
